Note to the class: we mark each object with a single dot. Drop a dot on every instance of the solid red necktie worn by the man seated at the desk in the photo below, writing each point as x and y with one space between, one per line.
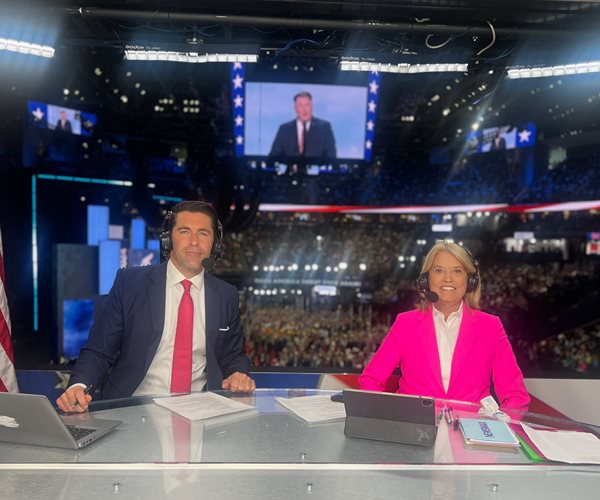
181 372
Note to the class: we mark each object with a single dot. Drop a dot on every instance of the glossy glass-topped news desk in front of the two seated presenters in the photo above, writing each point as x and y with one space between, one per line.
270 453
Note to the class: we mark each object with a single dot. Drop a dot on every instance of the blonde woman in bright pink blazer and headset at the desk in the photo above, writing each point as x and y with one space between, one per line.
447 348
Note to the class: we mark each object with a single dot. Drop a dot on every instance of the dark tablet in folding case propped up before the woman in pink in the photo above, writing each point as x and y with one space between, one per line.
396 418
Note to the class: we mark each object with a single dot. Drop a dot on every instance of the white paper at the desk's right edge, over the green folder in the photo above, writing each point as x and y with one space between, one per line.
566 446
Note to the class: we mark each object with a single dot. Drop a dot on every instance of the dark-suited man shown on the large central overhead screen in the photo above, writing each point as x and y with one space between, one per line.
306 136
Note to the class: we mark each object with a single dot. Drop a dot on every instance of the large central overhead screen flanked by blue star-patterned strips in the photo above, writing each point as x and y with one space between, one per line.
304 120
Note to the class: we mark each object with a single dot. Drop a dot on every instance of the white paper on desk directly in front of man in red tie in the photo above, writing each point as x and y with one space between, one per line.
202 405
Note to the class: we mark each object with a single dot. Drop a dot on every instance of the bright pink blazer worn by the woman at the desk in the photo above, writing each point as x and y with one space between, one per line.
482 354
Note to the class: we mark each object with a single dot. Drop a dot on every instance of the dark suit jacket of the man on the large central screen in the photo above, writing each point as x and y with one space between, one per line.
318 143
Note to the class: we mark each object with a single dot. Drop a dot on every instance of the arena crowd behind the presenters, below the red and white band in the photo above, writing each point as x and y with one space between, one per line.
528 292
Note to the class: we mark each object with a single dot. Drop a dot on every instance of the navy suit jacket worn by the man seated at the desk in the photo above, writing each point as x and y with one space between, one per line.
126 334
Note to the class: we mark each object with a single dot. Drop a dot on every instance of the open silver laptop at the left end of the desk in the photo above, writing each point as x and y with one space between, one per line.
31 419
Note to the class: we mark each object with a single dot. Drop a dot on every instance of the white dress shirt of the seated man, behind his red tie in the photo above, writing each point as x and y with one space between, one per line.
158 377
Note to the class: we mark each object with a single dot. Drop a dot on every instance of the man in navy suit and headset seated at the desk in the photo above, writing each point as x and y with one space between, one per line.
131 346
